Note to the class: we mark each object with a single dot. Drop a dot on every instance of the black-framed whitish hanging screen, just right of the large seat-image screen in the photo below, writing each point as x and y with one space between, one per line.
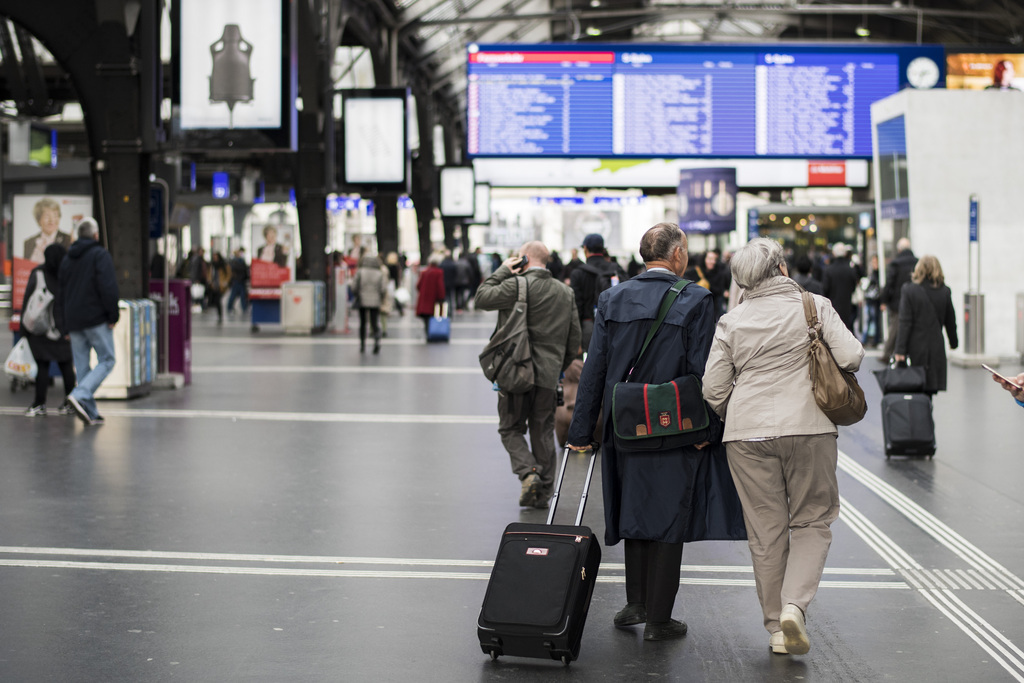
374 140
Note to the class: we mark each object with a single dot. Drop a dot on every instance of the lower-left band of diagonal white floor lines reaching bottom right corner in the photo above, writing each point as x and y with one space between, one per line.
1002 650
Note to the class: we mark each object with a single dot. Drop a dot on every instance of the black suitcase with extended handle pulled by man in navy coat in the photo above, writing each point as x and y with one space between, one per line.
540 589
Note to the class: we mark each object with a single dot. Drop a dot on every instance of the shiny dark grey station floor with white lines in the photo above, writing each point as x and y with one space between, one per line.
304 513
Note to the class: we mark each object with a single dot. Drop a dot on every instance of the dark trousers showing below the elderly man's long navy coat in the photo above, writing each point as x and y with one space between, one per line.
653 577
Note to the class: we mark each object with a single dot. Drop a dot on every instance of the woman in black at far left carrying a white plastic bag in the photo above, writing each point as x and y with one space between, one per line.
54 347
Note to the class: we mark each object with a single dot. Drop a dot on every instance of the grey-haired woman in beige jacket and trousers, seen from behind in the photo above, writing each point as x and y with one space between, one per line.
782 448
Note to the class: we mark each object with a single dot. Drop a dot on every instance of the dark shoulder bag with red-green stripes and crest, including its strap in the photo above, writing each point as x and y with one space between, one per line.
659 417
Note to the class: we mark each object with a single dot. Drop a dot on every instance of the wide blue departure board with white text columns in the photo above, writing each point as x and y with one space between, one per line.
657 101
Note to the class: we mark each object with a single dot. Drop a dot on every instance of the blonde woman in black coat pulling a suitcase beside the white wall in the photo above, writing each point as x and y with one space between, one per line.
926 308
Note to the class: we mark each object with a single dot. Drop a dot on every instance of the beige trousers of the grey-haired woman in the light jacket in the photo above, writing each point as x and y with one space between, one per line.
791 498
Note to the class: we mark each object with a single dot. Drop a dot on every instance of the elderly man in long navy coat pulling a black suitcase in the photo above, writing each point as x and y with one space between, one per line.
650 496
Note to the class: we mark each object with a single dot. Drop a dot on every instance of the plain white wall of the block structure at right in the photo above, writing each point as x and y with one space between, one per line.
962 143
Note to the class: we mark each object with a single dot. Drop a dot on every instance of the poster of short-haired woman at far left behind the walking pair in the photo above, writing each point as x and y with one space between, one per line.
41 221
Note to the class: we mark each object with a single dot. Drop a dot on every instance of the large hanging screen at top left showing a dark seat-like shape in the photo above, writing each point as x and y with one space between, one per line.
237 72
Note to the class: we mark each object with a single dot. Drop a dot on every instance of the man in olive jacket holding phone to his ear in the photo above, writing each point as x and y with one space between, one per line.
554 338
